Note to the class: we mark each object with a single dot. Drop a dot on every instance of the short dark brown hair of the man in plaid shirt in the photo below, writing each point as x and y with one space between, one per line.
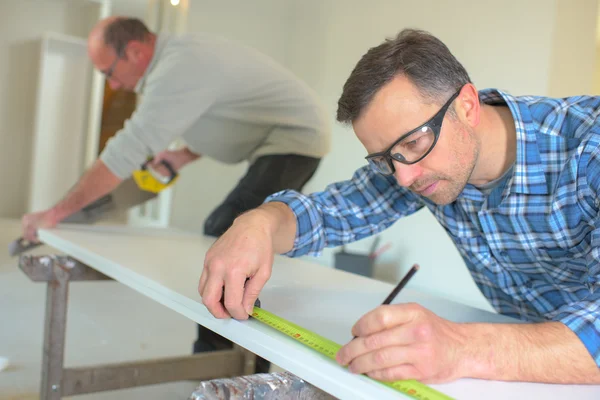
418 55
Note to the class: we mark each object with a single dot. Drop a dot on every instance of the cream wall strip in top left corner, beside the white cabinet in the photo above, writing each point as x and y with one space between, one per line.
22 24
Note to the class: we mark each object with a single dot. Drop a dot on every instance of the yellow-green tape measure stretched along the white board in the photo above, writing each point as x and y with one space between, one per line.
329 348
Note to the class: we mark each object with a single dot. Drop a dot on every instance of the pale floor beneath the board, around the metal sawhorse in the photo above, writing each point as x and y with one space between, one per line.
107 322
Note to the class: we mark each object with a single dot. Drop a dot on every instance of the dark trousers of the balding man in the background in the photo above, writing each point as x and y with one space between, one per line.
267 175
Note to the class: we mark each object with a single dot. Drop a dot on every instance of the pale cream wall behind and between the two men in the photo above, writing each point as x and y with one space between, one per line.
512 45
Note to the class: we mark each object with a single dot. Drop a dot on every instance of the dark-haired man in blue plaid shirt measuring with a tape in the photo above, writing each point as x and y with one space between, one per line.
515 181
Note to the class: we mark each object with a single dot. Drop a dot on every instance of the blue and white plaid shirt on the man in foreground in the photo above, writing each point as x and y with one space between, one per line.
532 245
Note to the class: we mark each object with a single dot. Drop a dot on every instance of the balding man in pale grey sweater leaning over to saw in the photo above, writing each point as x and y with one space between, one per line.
226 101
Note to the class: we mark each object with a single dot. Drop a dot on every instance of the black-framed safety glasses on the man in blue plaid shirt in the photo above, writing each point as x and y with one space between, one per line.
413 146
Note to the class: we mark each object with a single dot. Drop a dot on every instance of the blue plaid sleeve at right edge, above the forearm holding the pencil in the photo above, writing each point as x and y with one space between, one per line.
583 317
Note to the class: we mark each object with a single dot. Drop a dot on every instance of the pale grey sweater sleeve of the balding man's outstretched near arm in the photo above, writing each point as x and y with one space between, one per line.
177 92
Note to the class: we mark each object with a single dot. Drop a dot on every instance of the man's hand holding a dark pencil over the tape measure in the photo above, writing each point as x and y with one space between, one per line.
396 341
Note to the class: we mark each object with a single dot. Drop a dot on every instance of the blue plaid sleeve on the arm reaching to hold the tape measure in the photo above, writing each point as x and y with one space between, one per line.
346 211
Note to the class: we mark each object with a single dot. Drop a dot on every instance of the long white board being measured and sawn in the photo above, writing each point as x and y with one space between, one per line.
165 265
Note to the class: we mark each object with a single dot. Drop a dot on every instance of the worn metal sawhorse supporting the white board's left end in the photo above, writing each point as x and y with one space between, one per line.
58 381
